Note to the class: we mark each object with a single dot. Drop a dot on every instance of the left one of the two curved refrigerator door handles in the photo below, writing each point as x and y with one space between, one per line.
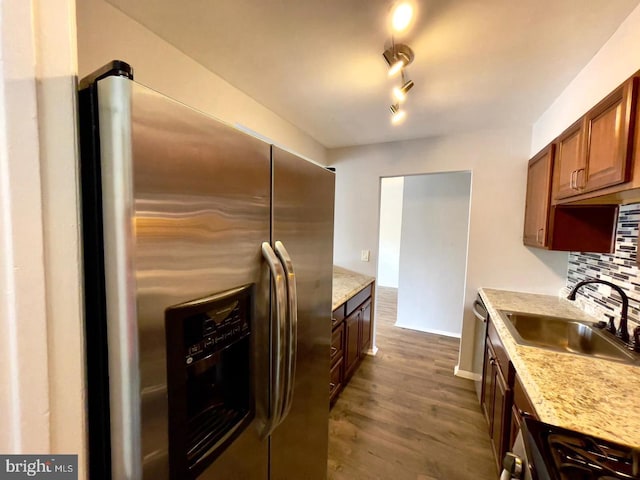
278 358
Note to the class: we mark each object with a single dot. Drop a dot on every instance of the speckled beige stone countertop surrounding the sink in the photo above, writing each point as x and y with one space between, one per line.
595 396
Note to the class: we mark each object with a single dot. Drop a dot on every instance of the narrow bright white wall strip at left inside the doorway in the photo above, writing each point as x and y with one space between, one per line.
391 190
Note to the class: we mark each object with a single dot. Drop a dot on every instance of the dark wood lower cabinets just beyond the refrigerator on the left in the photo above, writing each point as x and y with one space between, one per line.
351 338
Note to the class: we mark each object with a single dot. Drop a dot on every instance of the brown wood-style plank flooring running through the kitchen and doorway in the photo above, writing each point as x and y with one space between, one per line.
404 415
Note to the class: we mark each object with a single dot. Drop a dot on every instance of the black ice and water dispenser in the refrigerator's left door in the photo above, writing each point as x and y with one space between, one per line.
208 377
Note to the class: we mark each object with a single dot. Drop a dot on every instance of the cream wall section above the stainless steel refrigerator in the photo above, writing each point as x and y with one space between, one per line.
105 34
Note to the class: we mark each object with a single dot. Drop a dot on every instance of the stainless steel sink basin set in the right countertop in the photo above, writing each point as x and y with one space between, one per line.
566 335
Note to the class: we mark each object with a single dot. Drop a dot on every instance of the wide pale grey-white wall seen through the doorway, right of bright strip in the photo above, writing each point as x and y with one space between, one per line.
433 252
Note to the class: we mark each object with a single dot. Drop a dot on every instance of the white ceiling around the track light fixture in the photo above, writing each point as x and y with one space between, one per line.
318 64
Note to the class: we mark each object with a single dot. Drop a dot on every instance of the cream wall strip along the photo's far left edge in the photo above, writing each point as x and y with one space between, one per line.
24 376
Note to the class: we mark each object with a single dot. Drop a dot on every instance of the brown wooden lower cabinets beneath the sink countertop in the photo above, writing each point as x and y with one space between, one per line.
503 399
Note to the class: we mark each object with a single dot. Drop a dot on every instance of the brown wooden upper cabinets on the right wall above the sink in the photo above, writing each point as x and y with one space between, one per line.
595 166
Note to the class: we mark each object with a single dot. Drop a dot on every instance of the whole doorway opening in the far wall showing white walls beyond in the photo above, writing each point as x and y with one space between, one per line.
423 242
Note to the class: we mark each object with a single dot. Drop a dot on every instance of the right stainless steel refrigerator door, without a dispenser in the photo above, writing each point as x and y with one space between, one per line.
303 203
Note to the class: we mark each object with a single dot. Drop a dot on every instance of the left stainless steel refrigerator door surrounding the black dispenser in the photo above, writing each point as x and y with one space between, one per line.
199 210
